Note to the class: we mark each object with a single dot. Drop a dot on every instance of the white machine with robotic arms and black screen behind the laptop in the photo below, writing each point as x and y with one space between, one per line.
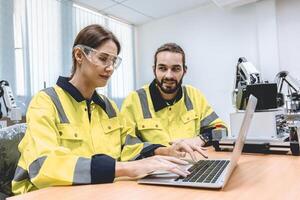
276 122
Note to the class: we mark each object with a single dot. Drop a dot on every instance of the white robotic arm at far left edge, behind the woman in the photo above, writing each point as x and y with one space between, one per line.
13 112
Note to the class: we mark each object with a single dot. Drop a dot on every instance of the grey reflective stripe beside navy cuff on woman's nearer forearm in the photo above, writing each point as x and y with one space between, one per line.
82 172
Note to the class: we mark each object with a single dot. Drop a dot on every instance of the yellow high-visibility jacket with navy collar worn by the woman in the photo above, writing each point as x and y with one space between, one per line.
68 142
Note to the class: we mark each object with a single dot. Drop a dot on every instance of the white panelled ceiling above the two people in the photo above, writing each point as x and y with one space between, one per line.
138 12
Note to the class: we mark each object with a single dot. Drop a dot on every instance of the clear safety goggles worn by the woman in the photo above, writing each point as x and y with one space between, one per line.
99 57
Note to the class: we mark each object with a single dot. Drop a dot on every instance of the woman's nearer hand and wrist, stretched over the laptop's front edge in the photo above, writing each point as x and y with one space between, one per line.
147 165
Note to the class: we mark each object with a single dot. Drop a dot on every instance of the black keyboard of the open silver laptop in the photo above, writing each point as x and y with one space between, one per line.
206 171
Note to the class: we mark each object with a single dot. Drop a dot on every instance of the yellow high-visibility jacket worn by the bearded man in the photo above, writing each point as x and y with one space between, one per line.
153 121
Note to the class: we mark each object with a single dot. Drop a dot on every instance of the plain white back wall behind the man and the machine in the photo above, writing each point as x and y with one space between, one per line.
214 39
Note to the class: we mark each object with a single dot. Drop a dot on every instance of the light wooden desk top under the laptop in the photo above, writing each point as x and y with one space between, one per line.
258 176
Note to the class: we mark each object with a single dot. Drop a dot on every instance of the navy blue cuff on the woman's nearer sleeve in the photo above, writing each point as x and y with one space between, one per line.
102 169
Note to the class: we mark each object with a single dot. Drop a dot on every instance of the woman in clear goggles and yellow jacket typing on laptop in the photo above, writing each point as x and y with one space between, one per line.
73 134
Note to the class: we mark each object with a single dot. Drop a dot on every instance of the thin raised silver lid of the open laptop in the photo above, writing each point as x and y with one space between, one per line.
239 144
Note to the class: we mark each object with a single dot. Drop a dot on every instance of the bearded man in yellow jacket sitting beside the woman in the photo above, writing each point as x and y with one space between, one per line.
167 113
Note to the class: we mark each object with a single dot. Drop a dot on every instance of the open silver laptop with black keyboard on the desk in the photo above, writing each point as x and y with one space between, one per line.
208 173
